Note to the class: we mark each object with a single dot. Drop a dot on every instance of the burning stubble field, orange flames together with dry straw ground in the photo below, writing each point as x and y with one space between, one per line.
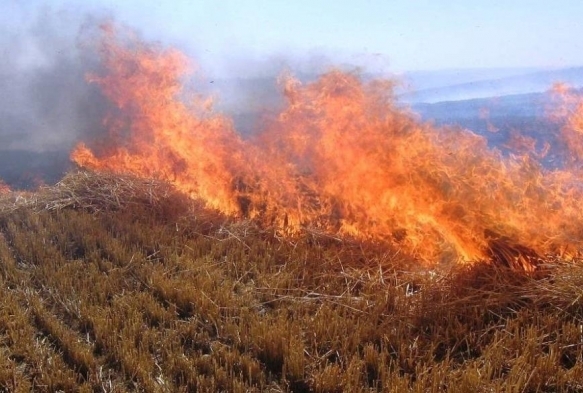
249 266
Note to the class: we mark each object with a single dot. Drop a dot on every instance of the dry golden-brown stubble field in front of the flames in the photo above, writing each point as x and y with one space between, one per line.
117 284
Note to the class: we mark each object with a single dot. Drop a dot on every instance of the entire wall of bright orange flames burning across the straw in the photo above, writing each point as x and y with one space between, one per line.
341 156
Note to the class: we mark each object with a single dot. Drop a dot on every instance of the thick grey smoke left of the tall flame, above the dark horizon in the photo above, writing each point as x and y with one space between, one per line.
46 103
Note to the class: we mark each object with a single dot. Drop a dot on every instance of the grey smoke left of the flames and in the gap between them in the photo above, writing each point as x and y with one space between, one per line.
47 106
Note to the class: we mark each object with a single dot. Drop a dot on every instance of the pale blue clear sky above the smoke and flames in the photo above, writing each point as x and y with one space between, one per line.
394 36
